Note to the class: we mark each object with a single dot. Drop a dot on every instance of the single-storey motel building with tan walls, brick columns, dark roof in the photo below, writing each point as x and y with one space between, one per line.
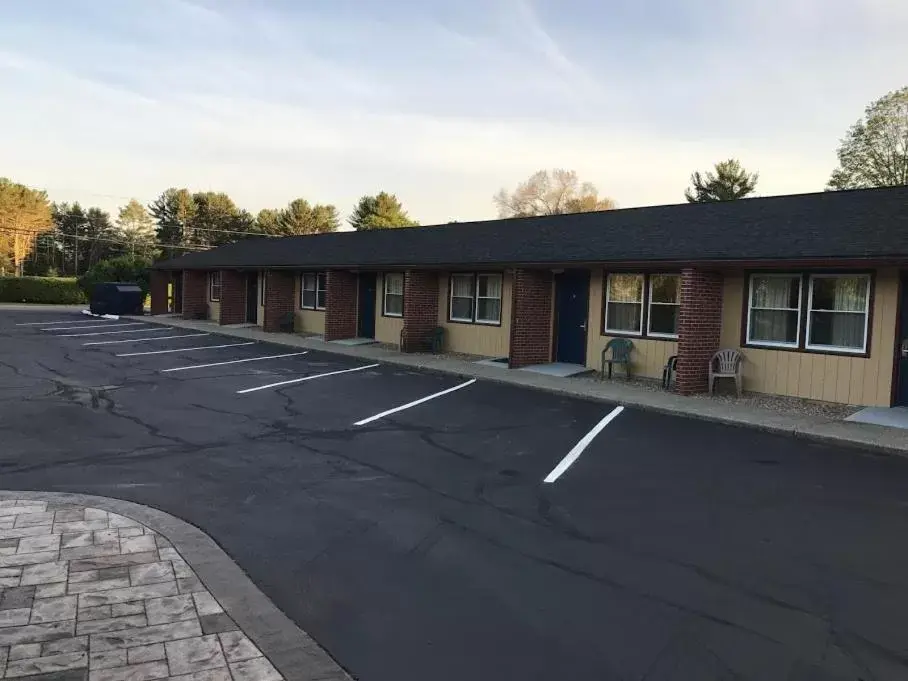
809 288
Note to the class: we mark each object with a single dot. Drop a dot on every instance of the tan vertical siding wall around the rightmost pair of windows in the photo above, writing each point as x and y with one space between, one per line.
829 378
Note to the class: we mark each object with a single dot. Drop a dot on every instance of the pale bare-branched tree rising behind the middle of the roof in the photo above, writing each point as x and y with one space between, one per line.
551 193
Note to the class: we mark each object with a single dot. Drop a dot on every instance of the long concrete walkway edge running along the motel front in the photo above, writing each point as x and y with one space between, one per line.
857 435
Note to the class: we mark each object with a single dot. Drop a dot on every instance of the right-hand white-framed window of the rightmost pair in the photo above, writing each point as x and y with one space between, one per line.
838 312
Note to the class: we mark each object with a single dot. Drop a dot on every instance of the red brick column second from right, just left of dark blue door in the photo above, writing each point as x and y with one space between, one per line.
531 318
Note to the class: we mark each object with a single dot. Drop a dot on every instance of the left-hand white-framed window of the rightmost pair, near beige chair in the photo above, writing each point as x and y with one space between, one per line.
774 310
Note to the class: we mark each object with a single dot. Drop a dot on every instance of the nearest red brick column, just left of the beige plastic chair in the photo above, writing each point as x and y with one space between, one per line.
699 328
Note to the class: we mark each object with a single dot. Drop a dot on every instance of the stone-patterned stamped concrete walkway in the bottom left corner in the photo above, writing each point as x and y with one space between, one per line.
89 593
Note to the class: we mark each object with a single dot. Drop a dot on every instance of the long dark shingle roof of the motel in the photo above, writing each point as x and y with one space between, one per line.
858 224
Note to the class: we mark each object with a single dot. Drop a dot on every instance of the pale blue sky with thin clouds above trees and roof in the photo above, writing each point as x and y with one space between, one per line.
442 102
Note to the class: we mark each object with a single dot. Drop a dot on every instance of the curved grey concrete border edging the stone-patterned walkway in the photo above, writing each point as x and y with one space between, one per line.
295 654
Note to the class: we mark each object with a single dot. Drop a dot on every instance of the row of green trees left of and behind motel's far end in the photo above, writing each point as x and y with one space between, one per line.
38 237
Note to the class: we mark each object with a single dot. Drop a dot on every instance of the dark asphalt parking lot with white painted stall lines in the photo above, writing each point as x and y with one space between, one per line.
424 543
